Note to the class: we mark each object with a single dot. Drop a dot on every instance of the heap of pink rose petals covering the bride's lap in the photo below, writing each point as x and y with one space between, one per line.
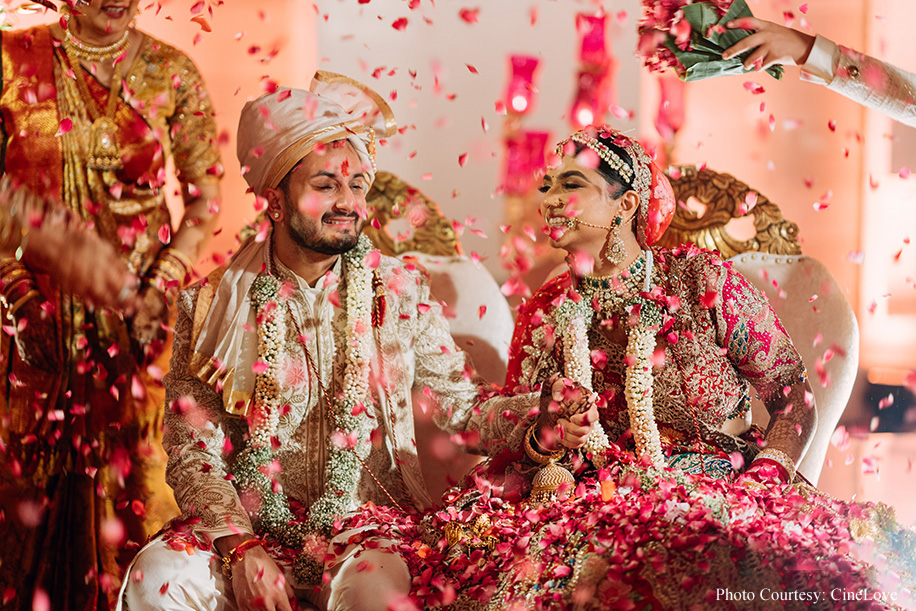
686 513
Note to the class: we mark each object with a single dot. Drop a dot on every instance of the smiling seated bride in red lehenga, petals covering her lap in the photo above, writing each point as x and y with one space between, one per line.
643 485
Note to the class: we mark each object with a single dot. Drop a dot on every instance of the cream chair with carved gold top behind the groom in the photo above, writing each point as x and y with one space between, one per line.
407 224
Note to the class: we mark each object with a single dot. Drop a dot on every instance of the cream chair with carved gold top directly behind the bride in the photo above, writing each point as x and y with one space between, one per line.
712 210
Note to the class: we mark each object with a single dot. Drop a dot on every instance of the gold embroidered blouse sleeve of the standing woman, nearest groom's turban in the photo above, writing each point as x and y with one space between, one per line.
193 129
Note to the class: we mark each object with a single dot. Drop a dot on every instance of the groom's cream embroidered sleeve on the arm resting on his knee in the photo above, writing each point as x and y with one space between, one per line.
195 439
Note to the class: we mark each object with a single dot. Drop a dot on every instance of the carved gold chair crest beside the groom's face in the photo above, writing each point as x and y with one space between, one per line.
391 198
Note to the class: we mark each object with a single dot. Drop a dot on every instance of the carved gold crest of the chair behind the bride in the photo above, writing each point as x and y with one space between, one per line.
725 199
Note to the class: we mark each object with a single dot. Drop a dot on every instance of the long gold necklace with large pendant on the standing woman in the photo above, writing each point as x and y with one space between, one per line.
104 148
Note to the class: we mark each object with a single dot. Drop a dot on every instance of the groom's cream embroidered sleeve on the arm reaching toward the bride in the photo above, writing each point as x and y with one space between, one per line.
442 369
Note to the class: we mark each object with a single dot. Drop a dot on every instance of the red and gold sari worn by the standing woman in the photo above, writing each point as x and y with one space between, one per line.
82 455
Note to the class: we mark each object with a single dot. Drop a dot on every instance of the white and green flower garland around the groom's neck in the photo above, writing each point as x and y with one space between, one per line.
348 443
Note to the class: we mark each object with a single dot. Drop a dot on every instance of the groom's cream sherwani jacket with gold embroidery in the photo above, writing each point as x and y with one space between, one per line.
418 347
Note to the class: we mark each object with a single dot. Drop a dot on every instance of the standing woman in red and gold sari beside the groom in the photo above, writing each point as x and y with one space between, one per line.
92 109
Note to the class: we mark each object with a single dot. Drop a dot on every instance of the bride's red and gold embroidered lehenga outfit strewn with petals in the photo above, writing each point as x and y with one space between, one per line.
688 534
